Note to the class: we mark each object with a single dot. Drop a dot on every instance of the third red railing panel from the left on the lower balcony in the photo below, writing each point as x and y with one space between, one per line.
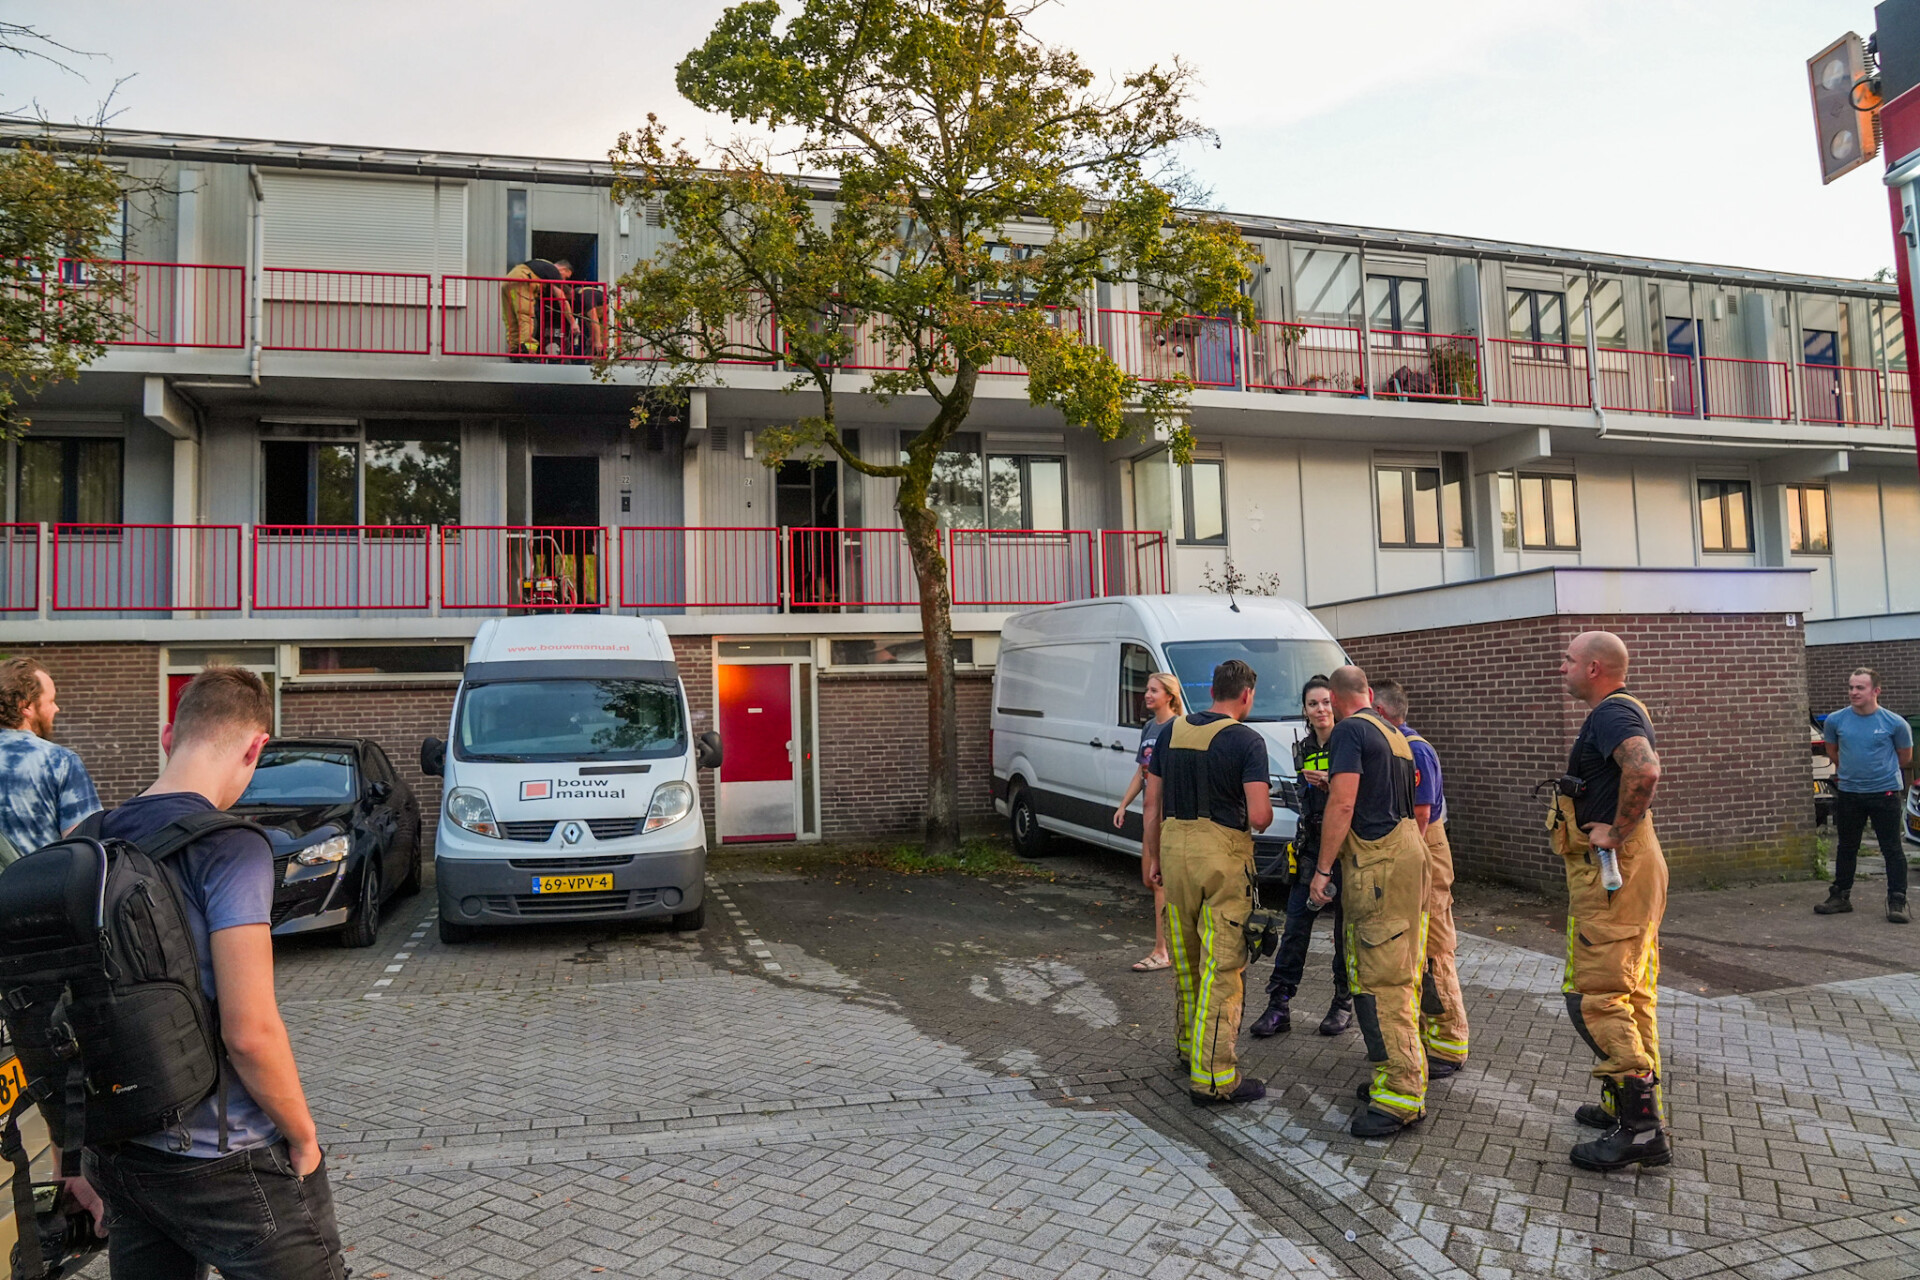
331 567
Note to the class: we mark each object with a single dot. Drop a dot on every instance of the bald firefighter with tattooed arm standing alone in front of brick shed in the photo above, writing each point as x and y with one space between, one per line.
1614 937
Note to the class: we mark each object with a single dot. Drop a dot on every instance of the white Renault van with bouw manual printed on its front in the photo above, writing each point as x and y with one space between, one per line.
571 780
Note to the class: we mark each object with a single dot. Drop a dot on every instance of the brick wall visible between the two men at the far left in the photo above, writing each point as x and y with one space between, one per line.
110 711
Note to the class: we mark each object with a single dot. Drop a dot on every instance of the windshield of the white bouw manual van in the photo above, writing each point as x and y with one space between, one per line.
569 721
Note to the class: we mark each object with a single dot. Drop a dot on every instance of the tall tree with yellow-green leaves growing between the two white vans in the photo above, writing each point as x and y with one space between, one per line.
923 137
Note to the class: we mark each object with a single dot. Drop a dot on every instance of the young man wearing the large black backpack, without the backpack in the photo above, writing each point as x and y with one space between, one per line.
262 1210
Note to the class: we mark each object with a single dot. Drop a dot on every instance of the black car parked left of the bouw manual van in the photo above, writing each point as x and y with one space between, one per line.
345 828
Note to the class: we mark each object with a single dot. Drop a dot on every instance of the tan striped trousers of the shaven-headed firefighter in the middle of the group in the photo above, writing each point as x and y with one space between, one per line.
1385 884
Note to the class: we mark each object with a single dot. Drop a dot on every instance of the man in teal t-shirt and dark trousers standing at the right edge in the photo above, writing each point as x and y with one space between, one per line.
1871 749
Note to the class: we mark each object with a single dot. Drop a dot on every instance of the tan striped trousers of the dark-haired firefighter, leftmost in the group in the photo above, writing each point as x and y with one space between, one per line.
1209 874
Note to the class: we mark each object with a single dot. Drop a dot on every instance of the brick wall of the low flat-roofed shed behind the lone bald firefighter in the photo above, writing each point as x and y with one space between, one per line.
1725 694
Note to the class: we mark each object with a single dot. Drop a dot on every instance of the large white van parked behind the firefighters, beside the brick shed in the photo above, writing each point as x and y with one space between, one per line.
1068 705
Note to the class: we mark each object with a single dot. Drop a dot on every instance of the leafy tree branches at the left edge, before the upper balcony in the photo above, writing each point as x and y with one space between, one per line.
55 204
